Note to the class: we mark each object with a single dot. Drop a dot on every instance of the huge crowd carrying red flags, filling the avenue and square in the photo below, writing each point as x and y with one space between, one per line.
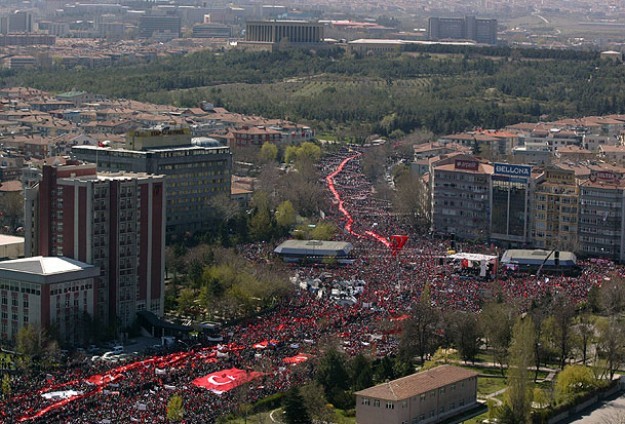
387 285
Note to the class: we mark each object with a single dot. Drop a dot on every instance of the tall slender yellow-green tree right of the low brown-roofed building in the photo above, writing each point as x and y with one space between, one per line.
519 393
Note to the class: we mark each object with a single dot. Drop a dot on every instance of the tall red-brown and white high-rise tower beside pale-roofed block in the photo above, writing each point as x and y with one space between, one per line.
115 221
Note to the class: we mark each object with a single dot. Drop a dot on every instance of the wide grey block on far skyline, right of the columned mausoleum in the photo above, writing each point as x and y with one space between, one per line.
483 31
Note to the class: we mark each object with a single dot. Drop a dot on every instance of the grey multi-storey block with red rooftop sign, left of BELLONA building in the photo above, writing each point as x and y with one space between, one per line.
461 202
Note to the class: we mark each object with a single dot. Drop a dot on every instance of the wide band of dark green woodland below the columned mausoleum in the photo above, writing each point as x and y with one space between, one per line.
487 87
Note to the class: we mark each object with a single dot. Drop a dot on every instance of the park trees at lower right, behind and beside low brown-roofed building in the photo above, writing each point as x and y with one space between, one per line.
550 332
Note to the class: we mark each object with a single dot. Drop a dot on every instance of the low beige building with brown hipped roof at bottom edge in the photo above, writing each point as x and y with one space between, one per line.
430 396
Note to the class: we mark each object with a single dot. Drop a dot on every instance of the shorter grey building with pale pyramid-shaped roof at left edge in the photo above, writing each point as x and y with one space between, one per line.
47 291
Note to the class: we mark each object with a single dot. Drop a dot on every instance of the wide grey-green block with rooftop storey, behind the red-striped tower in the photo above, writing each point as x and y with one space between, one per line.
194 175
